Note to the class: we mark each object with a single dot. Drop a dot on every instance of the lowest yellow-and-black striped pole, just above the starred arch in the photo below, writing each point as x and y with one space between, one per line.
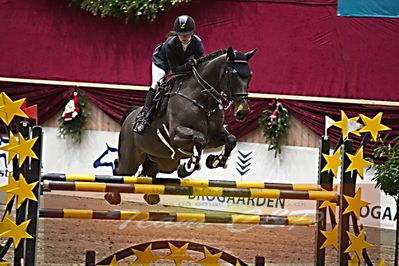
176 217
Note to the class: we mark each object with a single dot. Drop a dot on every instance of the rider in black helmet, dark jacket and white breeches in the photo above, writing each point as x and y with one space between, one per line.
177 54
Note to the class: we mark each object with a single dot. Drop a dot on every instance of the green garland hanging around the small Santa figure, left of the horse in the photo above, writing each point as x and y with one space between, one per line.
75 128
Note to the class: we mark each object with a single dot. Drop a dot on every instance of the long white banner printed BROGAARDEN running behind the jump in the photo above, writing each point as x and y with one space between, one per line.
248 162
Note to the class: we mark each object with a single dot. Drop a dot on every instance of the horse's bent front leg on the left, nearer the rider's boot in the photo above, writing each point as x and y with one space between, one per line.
184 138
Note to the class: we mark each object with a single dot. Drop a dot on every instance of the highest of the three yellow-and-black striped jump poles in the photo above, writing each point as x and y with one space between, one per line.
176 181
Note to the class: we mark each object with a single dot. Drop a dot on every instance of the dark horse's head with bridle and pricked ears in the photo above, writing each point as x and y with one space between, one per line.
238 75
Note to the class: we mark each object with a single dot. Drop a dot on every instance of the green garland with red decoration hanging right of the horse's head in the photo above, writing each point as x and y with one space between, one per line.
274 125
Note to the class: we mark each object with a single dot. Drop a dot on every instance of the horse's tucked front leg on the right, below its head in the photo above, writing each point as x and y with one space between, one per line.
230 142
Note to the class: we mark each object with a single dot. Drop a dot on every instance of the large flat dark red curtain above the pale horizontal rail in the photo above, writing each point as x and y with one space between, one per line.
303 47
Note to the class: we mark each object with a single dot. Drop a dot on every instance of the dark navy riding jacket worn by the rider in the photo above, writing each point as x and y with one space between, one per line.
169 55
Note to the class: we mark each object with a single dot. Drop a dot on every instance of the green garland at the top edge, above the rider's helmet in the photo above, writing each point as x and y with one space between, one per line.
126 9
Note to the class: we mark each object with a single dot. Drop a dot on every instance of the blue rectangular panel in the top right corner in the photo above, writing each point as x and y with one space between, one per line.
369 8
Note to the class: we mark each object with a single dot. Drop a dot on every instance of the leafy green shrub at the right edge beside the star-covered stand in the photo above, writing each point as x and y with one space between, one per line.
387 173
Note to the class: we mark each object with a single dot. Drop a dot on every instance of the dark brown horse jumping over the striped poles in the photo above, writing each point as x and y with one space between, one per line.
192 121
